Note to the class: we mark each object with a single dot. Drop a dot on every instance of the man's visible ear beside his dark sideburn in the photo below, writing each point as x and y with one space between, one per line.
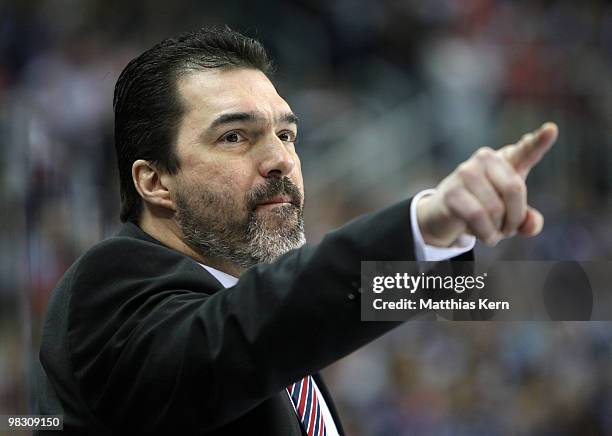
151 184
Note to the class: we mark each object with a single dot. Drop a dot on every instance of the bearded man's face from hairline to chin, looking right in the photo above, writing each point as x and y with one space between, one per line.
239 192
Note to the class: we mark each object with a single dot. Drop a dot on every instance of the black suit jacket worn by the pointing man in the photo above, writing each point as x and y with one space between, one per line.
141 339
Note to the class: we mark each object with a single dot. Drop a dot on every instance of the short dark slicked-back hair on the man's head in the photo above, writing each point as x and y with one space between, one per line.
147 105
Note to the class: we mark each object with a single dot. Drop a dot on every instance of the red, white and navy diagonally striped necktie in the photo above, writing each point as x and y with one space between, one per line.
304 397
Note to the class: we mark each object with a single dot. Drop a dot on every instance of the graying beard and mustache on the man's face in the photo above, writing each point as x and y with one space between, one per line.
211 227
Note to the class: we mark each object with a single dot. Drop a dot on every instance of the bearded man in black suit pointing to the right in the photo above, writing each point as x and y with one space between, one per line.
207 314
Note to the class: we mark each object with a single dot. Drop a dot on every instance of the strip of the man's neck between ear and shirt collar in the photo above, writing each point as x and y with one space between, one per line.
167 232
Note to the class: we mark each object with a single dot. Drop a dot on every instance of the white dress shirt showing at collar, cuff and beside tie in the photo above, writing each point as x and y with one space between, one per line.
423 252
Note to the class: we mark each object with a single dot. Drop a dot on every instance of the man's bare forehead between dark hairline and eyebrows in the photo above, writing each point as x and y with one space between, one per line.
209 93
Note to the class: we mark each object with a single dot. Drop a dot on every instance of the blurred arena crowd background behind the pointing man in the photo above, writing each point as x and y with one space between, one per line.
392 95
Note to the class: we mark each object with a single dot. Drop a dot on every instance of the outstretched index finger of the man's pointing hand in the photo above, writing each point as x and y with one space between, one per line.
529 150
